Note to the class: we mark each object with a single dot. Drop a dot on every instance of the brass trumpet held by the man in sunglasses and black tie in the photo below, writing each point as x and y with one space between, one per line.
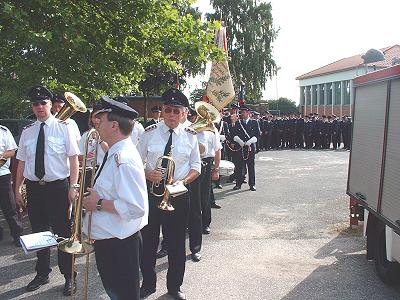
159 189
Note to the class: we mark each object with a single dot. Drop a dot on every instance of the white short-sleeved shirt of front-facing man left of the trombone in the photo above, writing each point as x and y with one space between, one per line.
60 143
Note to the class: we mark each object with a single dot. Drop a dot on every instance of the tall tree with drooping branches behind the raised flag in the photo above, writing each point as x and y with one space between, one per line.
250 34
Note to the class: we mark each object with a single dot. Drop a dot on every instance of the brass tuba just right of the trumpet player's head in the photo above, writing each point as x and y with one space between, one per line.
207 115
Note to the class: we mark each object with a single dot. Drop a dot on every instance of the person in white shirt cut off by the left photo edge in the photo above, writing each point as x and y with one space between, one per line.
7 199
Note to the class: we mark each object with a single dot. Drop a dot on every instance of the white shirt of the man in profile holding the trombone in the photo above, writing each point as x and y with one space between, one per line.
122 179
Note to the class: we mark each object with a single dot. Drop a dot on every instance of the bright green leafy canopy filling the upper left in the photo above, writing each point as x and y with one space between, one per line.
98 47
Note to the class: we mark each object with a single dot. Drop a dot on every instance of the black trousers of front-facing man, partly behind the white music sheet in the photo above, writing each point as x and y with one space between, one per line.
48 207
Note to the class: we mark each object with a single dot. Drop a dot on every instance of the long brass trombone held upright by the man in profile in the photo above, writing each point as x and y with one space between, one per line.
76 245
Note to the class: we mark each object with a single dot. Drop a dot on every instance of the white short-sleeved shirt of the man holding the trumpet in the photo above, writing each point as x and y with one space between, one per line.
185 150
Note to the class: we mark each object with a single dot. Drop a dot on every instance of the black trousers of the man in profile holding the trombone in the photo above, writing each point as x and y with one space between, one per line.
118 264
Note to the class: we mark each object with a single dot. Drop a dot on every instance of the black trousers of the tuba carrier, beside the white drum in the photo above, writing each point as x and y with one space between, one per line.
205 189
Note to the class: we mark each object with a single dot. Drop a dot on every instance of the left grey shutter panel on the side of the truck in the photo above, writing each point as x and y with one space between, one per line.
367 143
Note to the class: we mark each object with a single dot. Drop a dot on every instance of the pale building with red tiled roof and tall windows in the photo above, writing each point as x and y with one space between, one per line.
329 90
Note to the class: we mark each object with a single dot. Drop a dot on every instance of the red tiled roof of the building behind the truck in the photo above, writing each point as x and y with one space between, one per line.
353 62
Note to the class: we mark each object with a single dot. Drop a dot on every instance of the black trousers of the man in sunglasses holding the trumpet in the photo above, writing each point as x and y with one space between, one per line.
174 228
